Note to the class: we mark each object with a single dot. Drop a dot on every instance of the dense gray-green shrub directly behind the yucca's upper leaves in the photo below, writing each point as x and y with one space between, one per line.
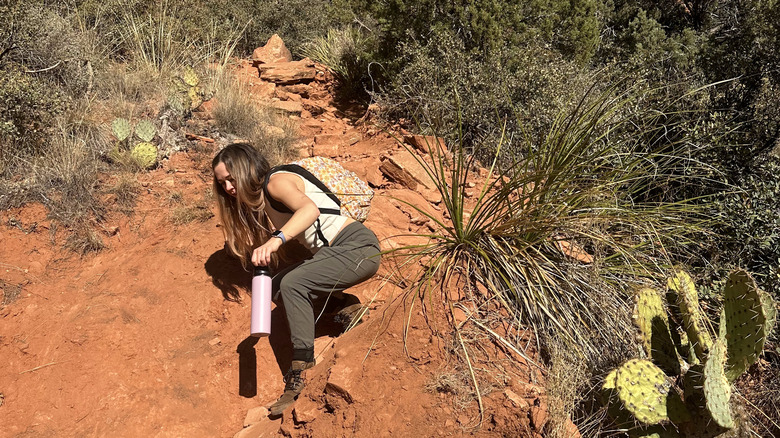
522 86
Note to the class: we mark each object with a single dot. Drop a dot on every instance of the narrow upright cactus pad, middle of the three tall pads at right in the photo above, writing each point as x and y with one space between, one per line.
694 322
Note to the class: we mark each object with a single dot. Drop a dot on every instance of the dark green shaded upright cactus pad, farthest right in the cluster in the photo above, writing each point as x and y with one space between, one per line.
744 323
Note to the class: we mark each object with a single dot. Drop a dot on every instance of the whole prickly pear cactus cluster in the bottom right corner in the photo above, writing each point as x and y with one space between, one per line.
643 387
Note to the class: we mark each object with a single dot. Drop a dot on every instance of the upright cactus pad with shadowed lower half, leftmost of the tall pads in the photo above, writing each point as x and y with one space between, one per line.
651 319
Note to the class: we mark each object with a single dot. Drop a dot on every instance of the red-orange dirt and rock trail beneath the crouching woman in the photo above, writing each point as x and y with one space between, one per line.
149 337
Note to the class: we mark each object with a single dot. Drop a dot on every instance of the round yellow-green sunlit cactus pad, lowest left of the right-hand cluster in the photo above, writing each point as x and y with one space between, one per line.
643 390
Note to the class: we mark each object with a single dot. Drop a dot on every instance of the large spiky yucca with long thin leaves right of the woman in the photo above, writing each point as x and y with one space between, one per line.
584 183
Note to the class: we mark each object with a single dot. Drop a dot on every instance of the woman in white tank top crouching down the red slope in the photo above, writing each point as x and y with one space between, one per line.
262 211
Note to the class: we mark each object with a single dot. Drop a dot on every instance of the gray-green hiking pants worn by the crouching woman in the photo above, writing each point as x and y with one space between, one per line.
351 258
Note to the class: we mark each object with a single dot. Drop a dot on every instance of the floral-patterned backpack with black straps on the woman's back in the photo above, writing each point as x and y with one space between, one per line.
350 193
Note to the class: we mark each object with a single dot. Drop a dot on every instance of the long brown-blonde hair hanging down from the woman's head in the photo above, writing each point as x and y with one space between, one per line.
245 225
